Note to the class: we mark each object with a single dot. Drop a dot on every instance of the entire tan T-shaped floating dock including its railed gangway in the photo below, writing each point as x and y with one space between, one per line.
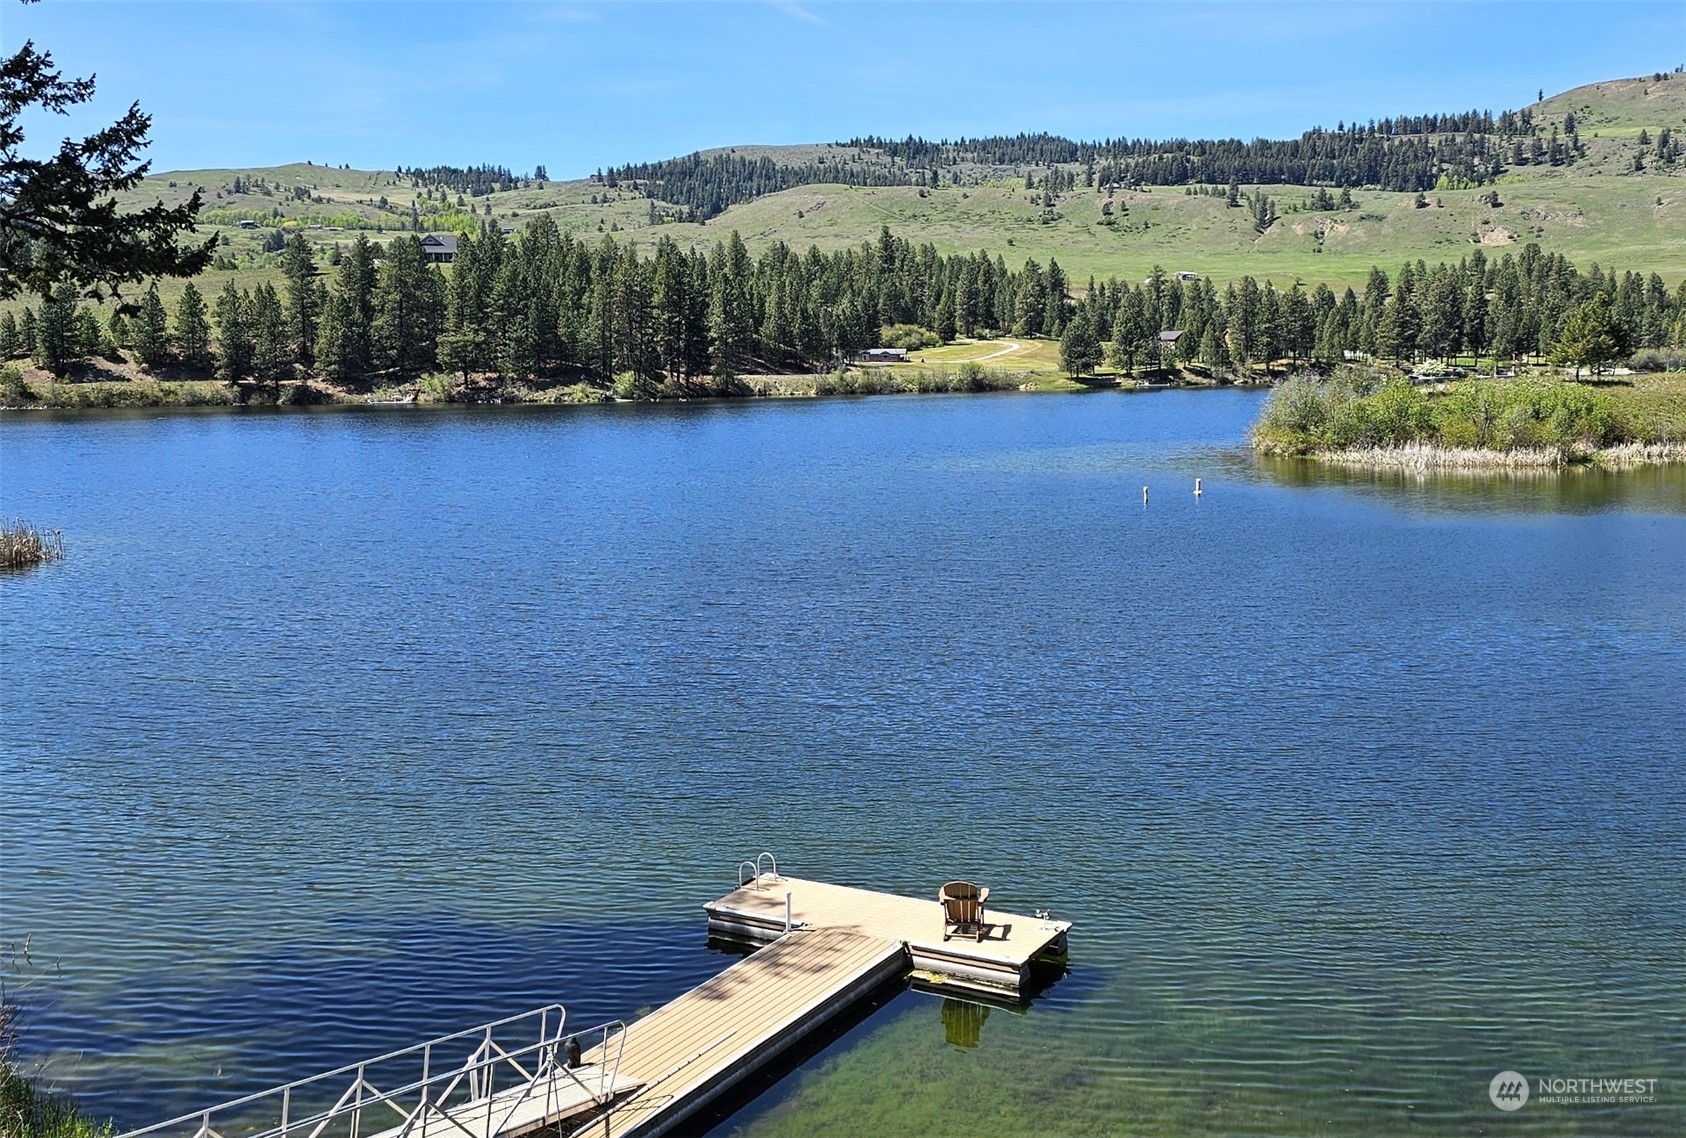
824 952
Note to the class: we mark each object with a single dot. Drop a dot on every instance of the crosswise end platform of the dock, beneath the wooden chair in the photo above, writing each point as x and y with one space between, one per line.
997 965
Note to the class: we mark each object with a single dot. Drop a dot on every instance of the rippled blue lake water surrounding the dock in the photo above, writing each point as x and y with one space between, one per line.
336 731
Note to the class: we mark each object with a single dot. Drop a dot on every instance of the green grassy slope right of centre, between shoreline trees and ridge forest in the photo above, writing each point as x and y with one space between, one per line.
1608 220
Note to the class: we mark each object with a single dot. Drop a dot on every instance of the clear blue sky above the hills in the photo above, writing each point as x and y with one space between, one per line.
579 87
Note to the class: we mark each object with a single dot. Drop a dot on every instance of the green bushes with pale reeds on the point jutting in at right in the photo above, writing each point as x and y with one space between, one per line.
1532 422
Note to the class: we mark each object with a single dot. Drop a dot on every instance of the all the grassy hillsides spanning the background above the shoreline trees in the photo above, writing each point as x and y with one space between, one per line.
1597 210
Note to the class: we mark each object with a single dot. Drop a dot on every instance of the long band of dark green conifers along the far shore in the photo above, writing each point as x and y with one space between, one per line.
539 311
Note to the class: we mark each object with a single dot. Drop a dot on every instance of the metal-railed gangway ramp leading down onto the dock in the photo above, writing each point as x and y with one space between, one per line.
502 1078
